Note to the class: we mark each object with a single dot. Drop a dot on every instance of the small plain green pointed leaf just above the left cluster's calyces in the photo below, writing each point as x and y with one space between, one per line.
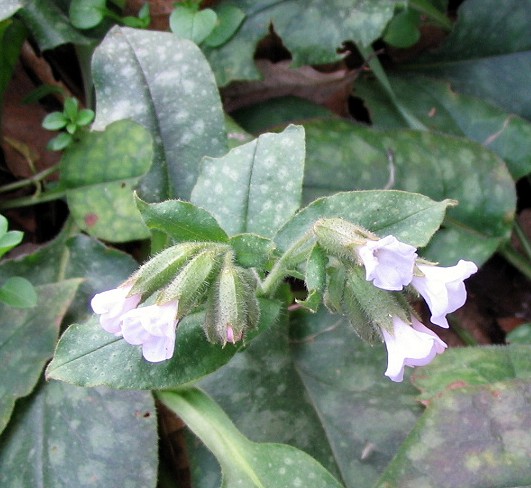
182 221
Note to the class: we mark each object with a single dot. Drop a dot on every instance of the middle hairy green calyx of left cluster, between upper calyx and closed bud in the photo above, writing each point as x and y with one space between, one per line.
191 284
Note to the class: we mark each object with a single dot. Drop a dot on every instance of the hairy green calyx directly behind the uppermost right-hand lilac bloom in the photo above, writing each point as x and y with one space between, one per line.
340 237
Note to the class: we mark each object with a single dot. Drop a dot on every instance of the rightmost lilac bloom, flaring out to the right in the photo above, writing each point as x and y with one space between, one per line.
443 288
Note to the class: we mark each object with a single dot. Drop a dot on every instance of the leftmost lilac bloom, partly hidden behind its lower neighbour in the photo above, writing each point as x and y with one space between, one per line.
111 305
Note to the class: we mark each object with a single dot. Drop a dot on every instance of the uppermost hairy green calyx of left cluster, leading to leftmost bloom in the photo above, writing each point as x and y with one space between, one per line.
160 269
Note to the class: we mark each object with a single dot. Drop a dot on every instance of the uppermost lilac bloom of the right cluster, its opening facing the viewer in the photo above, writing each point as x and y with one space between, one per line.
388 262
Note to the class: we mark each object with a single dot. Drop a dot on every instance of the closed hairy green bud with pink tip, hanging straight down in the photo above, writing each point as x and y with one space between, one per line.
232 307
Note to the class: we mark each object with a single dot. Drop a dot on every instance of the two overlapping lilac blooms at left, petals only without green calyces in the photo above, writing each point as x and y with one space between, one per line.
152 327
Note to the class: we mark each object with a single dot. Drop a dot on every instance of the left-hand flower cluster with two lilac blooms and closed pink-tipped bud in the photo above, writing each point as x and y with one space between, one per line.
179 279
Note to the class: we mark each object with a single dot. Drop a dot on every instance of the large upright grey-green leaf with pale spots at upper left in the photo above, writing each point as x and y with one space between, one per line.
172 94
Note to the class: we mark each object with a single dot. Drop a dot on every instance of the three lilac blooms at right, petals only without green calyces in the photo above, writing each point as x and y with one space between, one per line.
392 265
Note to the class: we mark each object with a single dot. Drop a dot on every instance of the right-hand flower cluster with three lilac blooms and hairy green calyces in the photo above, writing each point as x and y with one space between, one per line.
391 265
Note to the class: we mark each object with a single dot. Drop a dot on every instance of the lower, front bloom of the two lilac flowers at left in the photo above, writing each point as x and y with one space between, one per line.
152 327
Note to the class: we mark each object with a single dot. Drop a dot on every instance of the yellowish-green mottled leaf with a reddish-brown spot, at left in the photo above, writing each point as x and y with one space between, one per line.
99 173
